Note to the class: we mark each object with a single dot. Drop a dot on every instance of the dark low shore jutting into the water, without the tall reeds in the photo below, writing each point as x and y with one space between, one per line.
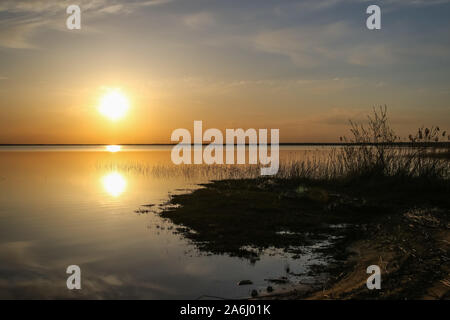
401 226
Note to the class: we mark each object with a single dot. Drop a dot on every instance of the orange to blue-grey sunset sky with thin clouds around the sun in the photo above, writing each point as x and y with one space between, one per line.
303 67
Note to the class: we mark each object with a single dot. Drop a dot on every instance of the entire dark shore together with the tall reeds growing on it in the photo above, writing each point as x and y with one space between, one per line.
380 201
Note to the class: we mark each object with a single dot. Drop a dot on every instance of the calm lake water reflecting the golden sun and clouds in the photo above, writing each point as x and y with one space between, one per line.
62 206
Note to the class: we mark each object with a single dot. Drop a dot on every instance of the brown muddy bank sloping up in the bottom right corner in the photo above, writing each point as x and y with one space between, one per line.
412 251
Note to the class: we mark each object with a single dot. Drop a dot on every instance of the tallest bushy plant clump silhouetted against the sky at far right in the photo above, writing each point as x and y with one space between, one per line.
373 151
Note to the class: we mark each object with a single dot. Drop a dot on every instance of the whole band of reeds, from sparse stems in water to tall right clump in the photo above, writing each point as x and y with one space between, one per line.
373 151
